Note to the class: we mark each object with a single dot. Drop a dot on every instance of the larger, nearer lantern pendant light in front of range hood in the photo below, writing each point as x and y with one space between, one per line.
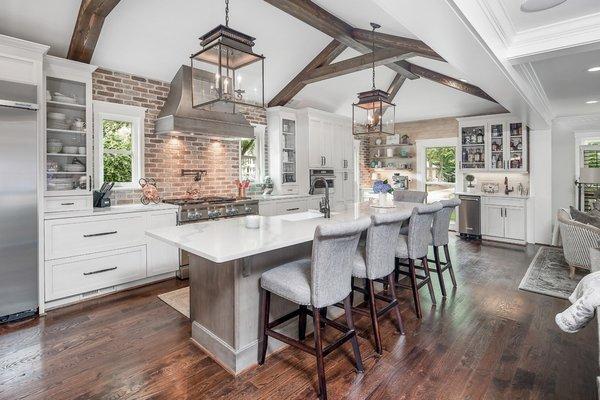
226 73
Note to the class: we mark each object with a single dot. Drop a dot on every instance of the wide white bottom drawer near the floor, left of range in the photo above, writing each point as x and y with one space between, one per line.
82 274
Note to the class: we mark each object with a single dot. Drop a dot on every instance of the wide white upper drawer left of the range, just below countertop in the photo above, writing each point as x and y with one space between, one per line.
79 236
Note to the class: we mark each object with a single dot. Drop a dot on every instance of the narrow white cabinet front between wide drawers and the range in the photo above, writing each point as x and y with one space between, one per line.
161 257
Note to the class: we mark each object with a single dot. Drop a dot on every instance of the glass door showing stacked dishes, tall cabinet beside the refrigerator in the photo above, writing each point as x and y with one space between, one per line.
66 137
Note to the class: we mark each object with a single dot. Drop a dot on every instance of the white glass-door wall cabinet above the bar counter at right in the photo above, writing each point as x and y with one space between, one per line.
497 143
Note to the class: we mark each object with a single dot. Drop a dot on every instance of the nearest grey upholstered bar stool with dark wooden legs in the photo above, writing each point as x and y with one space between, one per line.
322 281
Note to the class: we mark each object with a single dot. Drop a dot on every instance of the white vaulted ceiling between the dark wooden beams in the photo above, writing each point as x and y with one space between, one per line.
152 38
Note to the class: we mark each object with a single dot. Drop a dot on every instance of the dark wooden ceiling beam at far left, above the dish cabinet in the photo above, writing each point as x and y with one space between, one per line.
88 27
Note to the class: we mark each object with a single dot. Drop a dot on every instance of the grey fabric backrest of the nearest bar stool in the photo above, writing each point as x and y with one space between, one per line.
334 248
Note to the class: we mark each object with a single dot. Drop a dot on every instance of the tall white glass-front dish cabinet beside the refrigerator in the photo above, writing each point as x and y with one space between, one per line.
68 130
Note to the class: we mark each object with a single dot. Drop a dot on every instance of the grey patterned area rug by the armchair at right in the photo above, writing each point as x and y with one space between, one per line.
548 274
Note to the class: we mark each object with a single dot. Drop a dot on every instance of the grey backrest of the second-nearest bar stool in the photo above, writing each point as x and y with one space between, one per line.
380 243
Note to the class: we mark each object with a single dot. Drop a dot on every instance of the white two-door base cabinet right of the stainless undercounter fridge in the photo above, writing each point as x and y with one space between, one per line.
504 219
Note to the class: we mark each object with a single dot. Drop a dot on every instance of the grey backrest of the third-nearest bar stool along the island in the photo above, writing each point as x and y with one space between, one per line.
419 229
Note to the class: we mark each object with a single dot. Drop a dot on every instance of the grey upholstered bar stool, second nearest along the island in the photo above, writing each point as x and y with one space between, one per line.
374 262
